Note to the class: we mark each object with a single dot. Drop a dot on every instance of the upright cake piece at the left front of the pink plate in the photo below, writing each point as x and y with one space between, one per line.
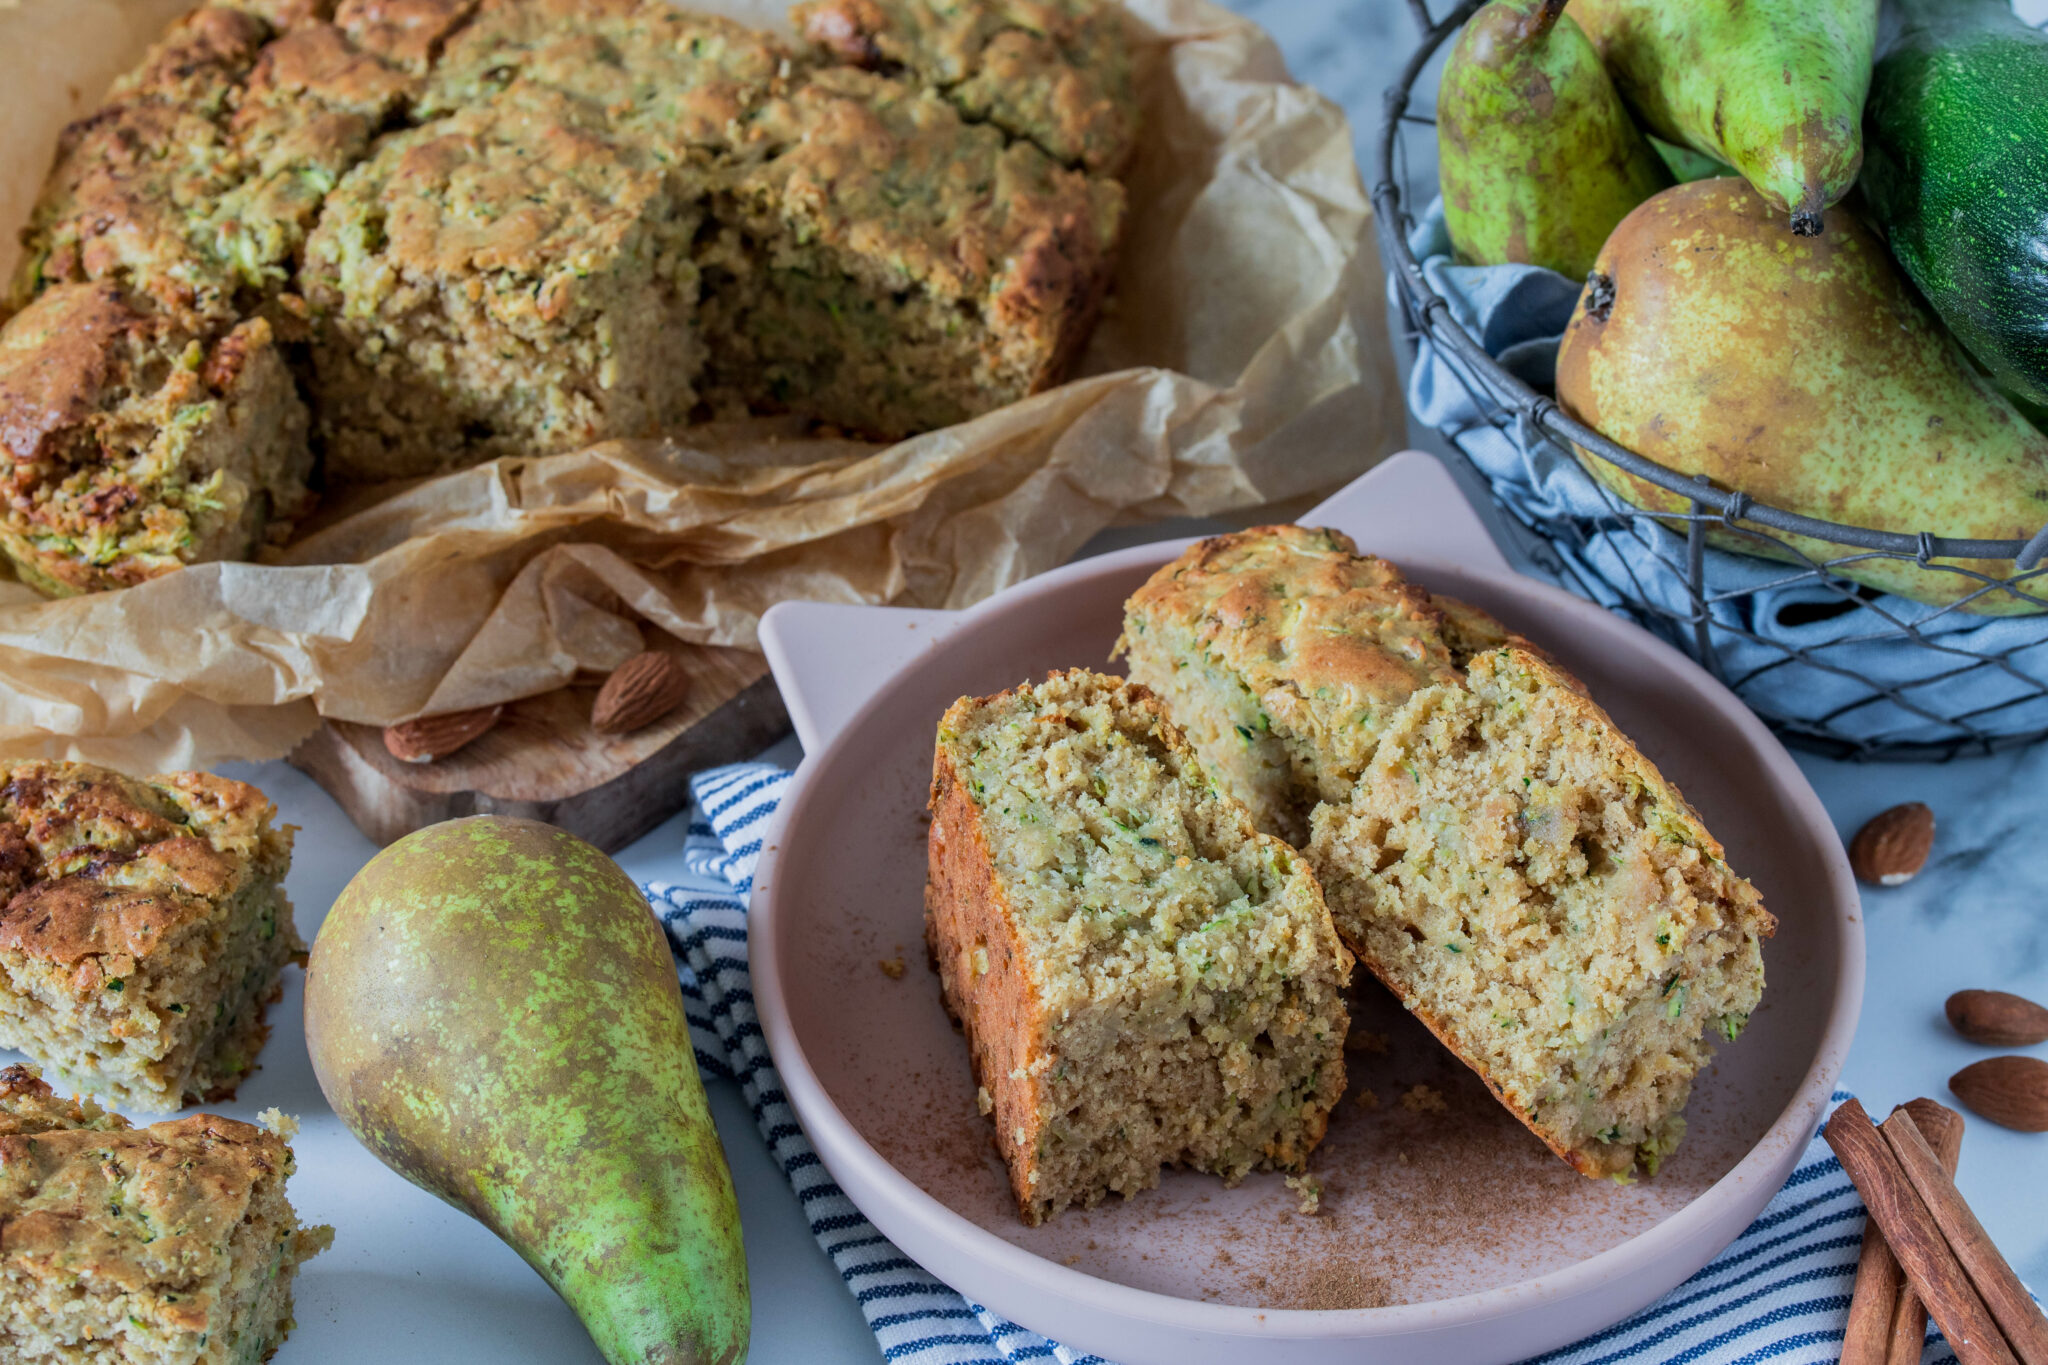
1144 979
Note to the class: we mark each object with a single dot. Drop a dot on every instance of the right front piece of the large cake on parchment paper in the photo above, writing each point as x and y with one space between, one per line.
892 267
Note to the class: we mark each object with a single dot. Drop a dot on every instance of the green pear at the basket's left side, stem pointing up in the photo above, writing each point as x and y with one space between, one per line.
1537 155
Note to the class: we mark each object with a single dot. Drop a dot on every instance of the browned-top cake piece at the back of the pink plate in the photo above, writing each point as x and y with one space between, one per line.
1283 654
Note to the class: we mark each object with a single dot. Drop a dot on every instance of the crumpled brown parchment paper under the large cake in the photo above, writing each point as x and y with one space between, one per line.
1244 359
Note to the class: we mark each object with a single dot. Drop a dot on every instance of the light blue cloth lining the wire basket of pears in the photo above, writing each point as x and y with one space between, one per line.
1519 314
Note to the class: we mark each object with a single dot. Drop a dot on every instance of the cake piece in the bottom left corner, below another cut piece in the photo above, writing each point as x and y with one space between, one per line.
167 1245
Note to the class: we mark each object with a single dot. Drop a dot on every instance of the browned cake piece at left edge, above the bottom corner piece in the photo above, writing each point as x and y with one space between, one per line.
144 930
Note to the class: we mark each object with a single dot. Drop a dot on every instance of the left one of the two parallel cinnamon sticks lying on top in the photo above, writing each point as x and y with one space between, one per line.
1973 1335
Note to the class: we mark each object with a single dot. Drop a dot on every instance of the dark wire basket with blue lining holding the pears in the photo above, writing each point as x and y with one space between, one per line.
1830 664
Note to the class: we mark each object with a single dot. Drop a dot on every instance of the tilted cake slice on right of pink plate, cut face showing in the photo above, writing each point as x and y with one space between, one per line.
1549 906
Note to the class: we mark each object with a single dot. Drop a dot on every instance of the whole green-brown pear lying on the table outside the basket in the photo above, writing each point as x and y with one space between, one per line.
493 1010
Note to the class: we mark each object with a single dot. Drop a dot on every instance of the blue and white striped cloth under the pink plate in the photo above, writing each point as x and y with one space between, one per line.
1779 1294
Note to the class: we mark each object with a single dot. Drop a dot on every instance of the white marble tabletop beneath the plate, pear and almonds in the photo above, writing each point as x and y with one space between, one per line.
415 1280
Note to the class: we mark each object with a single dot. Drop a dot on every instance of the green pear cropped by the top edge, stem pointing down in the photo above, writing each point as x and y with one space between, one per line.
1770 87
